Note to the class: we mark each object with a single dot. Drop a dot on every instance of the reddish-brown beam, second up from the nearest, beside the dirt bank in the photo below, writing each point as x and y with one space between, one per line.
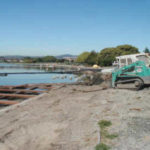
16 95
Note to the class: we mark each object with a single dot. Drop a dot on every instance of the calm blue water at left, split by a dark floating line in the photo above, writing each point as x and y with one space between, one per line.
31 78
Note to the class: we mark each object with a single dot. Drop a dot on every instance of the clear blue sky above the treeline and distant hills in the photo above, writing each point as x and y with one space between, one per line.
55 27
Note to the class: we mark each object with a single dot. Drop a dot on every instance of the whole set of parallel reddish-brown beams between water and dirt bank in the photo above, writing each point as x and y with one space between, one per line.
10 95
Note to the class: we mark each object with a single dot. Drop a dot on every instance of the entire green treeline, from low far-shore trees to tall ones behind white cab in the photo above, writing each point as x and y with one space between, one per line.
105 57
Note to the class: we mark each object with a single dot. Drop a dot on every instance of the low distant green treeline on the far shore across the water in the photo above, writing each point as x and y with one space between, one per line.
43 59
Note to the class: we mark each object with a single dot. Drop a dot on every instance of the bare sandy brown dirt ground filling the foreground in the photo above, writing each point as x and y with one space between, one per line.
66 118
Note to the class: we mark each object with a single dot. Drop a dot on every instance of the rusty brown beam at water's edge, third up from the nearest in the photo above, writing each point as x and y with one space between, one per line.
20 91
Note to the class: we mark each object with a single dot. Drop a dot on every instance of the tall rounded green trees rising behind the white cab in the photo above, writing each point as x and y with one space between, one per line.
107 55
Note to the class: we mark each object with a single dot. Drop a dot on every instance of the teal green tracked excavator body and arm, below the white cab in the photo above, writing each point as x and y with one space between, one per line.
134 76
